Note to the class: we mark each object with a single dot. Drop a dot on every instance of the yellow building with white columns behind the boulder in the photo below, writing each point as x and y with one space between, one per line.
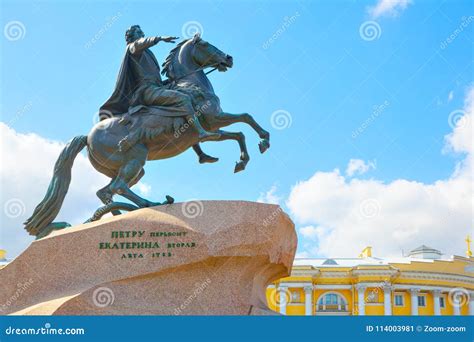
423 283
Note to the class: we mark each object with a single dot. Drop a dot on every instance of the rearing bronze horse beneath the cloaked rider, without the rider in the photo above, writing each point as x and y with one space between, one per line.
121 151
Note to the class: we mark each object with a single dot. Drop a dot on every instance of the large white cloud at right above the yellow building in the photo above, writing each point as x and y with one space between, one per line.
401 214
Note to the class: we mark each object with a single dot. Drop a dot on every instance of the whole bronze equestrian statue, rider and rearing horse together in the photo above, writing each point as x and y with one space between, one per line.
141 125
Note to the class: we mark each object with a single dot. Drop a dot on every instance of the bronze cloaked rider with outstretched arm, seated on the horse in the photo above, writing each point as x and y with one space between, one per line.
139 83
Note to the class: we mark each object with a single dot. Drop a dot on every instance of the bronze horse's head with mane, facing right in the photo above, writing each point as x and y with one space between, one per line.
194 54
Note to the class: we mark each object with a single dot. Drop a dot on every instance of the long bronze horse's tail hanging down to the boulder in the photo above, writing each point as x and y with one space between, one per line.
49 207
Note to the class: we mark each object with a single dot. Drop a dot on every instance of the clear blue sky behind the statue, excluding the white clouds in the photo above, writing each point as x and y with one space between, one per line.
307 58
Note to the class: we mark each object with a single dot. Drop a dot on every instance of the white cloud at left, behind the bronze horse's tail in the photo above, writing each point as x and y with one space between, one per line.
26 167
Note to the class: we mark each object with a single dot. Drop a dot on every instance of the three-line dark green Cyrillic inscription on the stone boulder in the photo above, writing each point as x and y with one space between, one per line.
161 244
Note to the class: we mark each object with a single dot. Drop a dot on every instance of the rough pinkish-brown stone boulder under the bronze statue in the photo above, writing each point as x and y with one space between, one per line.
192 258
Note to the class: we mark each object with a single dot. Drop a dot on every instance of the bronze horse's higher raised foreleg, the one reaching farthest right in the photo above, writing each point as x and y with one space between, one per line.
225 119
